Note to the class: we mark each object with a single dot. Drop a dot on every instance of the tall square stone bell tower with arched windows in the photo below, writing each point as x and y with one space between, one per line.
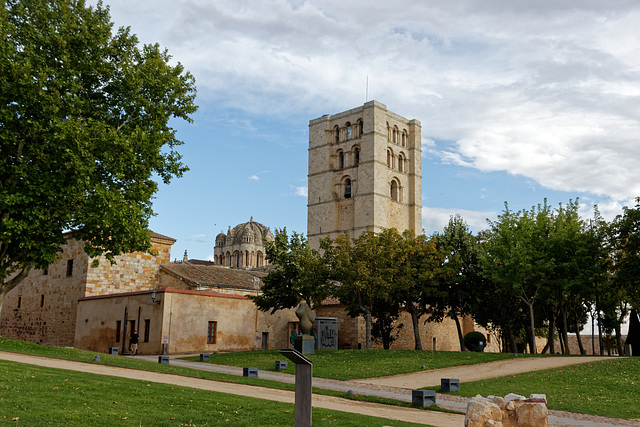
364 171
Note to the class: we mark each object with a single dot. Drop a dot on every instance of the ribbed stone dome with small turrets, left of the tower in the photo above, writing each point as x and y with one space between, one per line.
242 246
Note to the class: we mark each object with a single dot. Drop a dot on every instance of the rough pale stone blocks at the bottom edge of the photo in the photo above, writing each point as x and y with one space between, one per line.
512 411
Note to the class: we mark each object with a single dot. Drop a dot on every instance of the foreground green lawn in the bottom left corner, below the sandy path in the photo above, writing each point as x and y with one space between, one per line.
32 395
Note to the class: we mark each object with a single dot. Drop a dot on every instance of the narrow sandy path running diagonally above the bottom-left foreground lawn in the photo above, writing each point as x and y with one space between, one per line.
437 419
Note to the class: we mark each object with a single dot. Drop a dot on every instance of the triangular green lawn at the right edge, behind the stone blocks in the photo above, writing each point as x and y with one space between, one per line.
610 388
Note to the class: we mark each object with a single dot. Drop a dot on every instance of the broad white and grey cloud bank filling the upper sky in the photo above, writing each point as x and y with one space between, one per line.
547 90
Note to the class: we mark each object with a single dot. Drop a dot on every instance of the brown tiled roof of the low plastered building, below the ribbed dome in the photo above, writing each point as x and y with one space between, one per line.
214 275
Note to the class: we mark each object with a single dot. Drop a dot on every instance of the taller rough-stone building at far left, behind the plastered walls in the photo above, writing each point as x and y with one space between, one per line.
43 307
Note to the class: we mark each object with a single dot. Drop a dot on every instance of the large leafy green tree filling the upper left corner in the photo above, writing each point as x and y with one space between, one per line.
85 132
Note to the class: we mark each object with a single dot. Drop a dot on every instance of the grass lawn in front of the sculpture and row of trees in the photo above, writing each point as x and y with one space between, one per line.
355 364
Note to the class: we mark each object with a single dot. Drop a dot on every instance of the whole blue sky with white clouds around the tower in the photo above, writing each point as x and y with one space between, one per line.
519 101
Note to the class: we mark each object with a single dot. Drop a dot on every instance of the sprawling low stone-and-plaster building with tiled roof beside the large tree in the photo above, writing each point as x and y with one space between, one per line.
176 307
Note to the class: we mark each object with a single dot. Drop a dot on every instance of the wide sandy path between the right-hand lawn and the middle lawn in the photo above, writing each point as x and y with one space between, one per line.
479 372
